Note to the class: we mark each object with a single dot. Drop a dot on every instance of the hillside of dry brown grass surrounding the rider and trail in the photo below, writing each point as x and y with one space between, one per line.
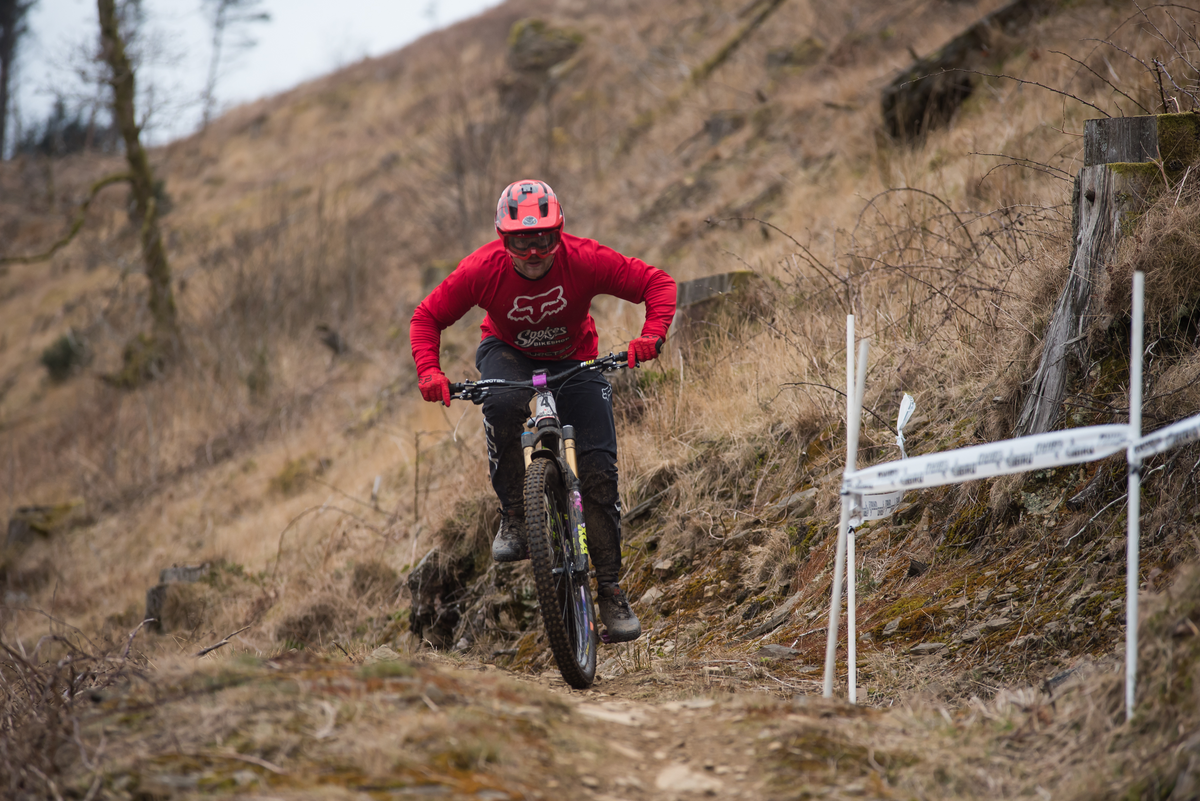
704 136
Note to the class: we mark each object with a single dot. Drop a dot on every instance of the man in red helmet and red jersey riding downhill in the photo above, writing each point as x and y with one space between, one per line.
537 285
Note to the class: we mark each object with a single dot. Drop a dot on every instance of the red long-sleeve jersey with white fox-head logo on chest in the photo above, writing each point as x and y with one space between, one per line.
548 318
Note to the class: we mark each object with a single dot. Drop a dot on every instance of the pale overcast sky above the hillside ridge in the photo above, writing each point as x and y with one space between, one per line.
304 39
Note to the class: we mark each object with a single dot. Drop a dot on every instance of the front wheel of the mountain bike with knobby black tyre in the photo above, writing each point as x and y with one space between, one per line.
563 594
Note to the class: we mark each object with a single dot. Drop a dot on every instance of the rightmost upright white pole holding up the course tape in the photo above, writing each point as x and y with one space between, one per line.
1135 511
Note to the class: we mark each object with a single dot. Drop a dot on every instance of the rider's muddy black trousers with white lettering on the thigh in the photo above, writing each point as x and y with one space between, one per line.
585 402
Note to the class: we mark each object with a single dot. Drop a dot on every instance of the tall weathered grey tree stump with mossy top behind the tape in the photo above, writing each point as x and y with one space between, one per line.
1127 161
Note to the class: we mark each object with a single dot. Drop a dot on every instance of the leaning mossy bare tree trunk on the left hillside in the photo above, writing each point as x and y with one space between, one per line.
154 255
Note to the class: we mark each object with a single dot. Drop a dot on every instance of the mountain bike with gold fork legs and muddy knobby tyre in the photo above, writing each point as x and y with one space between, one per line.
557 537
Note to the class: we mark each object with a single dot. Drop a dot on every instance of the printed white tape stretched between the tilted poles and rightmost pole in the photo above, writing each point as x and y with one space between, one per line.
1037 453
